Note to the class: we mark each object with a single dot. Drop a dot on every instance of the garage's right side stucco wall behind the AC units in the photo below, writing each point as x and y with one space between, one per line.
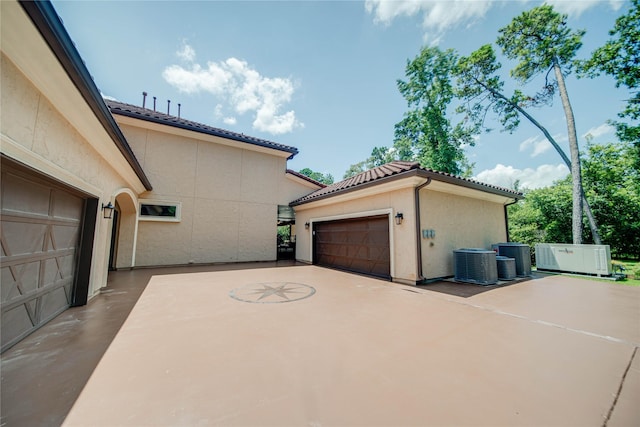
458 222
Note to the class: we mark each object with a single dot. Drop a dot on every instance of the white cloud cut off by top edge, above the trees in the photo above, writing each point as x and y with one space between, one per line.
438 17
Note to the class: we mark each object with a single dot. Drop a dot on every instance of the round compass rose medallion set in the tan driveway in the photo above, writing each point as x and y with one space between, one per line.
272 292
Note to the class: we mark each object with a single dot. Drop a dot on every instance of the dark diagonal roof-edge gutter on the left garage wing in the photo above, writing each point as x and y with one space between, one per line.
48 23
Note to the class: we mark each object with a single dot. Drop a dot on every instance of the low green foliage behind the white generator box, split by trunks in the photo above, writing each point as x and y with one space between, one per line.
613 189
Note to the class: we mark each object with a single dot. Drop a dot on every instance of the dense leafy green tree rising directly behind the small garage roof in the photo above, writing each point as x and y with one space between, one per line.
425 134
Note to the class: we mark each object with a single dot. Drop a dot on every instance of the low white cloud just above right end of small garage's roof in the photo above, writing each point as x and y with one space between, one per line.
506 176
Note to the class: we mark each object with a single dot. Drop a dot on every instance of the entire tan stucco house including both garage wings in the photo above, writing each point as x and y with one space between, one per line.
90 185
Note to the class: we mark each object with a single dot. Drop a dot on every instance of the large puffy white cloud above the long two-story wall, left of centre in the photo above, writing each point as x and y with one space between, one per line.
240 88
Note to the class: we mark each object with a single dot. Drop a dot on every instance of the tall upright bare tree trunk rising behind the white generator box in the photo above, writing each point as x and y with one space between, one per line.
576 172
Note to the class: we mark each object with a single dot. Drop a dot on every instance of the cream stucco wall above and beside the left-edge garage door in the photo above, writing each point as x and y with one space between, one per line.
35 133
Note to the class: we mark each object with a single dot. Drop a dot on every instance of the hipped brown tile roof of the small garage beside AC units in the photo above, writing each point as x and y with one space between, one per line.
398 169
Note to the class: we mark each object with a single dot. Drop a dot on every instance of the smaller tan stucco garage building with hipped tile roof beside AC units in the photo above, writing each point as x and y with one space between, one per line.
400 222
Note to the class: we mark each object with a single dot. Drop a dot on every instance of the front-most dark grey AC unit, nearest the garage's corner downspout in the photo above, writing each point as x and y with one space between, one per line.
475 266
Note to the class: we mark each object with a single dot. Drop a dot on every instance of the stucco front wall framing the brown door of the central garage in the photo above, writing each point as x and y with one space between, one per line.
403 237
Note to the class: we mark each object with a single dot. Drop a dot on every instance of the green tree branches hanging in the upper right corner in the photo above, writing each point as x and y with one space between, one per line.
620 58
